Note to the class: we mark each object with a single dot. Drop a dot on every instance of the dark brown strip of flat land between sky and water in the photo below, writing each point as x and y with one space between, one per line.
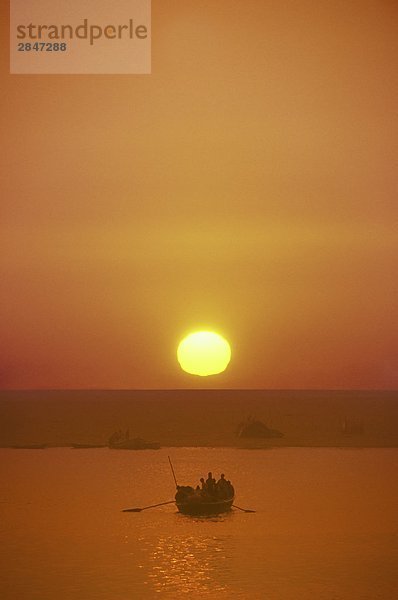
200 417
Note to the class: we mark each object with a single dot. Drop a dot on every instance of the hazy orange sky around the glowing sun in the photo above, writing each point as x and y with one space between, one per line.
247 186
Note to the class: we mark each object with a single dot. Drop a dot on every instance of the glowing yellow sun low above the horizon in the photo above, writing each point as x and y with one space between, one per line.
204 353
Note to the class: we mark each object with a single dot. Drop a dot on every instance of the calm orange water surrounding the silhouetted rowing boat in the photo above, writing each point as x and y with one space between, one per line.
326 525
